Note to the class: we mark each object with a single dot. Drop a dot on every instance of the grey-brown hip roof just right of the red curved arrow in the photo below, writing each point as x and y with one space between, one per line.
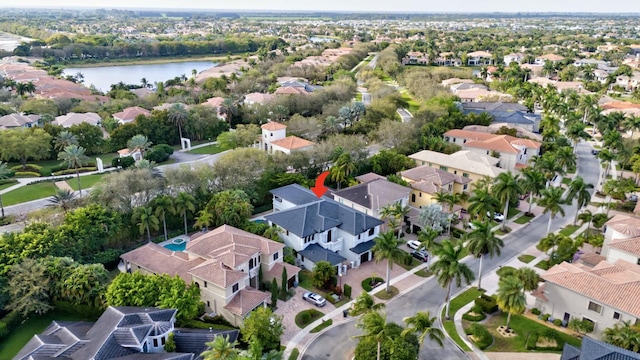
374 194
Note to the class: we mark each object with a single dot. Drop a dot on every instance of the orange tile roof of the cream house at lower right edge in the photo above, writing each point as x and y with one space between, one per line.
616 285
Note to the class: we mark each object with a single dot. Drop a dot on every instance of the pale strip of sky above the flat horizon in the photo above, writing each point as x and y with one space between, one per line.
459 6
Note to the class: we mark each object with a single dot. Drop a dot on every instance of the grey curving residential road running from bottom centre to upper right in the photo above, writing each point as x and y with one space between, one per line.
338 342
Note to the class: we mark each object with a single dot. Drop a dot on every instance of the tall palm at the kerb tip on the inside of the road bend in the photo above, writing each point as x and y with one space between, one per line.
448 268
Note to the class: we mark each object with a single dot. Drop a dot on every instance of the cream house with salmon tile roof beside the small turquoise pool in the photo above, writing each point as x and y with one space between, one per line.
224 263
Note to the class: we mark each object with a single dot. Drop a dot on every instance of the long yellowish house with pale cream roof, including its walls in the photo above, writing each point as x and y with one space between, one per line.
469 164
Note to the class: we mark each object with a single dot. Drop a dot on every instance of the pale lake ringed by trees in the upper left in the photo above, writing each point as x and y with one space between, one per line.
103 77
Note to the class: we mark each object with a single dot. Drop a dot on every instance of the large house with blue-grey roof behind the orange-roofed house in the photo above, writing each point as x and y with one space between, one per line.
507 114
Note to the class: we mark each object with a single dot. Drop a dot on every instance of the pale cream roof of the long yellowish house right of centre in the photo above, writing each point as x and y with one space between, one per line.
465 160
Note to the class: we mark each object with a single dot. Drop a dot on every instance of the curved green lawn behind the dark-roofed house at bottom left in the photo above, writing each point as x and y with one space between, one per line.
20 336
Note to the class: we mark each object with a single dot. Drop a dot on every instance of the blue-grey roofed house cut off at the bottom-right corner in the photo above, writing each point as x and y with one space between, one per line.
593 349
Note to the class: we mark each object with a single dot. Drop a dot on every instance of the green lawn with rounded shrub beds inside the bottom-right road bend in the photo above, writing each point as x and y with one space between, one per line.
523 327
